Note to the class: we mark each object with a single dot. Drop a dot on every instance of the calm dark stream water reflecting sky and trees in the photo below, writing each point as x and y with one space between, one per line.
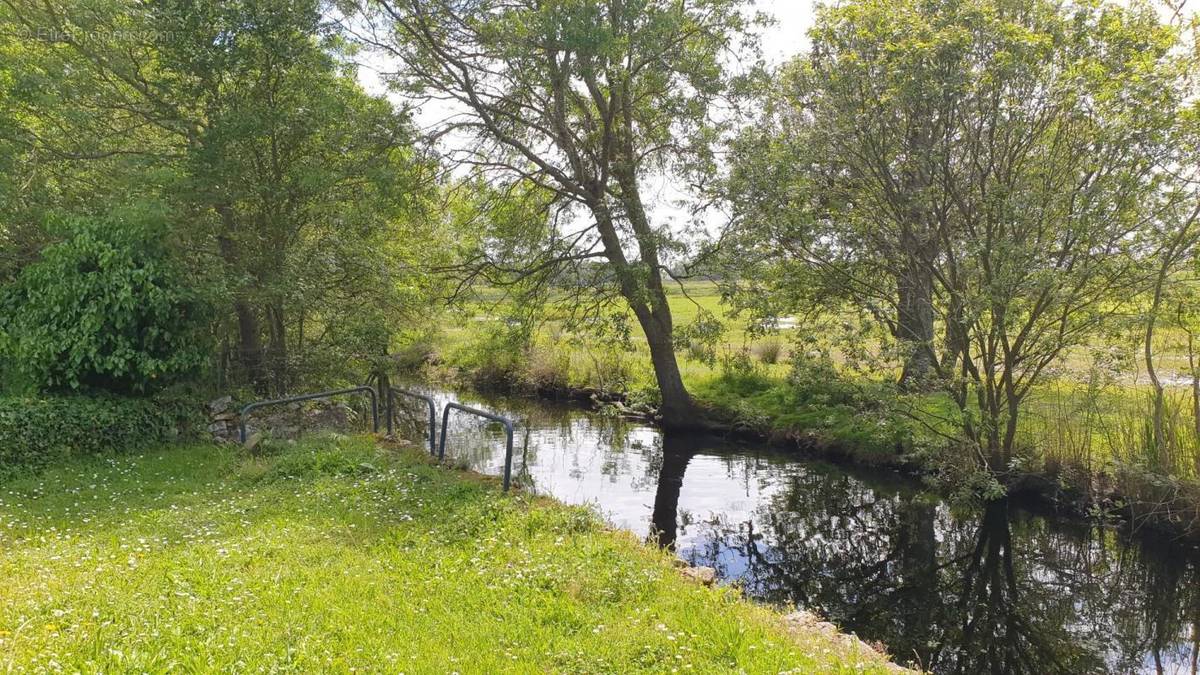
993 590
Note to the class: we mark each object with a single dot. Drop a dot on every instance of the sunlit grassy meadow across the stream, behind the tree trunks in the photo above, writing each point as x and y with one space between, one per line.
1084 429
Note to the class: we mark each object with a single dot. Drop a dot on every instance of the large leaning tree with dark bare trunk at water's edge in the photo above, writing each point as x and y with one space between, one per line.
586 101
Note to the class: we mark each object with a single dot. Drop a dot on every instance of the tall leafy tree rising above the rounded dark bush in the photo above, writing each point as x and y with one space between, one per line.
281 174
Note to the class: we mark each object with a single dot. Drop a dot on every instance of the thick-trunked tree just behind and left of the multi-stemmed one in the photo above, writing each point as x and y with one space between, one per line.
839 176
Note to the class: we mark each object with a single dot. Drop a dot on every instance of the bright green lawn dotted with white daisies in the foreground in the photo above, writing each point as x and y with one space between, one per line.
335 555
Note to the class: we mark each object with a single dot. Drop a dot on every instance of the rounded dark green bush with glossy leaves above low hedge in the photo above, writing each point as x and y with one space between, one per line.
104 309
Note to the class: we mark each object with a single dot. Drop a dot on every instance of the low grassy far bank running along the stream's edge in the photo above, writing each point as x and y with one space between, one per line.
850 422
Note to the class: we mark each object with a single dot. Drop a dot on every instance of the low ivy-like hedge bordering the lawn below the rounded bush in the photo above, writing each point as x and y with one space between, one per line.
39 432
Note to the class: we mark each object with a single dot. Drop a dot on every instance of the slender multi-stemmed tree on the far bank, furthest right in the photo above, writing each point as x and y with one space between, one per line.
1064 169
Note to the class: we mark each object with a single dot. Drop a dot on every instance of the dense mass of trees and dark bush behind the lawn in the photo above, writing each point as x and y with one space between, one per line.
244 199
